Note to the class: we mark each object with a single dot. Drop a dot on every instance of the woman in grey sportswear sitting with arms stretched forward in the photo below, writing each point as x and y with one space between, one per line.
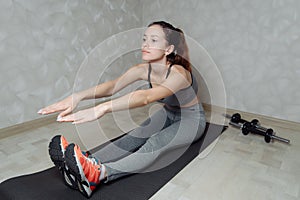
180 122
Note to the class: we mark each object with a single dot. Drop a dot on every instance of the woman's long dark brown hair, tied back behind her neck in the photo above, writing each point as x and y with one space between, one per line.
175 36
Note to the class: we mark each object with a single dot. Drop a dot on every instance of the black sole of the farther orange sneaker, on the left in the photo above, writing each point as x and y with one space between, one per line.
57 157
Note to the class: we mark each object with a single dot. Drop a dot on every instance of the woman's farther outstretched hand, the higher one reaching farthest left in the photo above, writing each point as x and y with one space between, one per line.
65 106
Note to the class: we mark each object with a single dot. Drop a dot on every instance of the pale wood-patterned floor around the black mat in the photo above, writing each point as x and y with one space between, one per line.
234 167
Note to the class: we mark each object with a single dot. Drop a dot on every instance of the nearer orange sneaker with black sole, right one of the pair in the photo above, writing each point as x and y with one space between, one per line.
87 170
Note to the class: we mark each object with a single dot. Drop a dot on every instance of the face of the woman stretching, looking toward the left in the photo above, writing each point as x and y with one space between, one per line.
155 45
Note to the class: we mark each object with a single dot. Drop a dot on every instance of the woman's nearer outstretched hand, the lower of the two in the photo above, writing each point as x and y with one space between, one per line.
86 115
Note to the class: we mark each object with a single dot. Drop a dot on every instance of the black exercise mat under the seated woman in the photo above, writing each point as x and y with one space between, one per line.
48 184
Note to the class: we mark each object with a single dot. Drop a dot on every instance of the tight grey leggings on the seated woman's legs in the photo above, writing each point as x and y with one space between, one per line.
164 130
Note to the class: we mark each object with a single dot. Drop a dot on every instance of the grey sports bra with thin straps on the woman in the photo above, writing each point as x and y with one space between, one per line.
180 97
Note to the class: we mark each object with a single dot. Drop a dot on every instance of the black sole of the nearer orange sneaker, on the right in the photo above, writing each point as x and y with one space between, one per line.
76 170
